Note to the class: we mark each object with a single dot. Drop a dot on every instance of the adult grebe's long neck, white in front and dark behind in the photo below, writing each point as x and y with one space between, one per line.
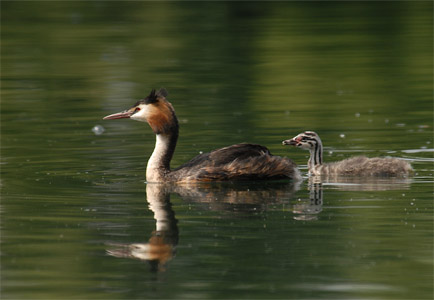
159 162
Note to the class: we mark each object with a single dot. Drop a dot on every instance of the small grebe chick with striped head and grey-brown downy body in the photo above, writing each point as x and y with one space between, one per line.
357 166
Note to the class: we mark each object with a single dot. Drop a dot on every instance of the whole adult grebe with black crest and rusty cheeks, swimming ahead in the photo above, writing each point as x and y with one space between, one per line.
236 162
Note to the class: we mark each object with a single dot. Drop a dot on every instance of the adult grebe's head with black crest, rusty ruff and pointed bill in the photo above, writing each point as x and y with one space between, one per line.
154 109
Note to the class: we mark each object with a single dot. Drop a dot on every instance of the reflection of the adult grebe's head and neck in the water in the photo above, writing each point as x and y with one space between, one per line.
161 246
